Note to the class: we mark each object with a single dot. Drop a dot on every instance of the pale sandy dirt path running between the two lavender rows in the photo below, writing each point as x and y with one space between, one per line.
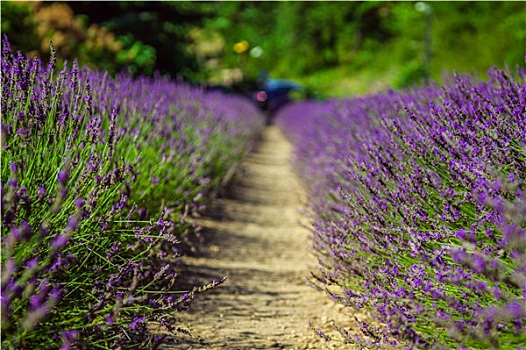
258 242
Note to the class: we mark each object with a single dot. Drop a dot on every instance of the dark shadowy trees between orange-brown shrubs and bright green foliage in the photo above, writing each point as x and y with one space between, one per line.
161 25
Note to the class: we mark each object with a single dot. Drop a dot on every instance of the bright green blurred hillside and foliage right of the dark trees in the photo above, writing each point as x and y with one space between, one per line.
374 38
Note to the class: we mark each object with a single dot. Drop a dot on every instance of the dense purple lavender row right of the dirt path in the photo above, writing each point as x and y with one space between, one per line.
419 210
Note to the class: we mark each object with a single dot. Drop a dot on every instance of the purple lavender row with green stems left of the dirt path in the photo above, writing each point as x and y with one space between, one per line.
101 177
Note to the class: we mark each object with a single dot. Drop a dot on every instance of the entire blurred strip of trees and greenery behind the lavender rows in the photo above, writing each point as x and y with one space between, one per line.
335 48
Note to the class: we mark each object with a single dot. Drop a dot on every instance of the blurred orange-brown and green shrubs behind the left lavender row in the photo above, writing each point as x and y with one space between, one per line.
31 25
